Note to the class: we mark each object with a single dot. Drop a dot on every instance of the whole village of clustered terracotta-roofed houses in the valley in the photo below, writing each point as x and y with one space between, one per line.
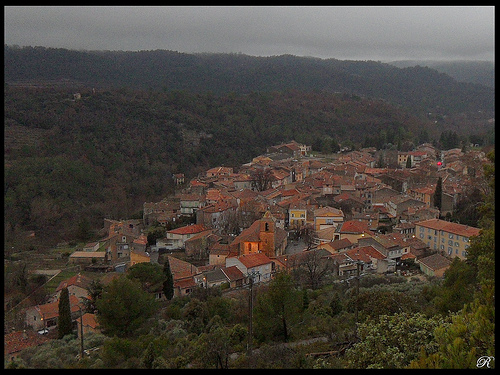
281 211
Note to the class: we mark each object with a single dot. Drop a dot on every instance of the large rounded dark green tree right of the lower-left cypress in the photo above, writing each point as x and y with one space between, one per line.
124 307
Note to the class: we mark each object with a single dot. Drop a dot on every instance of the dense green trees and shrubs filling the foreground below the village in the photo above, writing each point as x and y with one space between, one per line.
401 324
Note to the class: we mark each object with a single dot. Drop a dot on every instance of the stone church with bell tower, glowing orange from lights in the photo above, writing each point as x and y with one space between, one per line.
262 236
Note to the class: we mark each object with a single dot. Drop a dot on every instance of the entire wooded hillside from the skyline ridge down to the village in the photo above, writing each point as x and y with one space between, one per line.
144 116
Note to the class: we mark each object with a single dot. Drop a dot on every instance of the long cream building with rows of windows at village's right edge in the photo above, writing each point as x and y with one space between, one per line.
448 238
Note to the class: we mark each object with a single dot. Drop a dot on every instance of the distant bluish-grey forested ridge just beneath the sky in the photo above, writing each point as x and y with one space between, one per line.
419 88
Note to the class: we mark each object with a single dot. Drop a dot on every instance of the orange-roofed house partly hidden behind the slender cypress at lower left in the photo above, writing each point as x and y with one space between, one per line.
46 315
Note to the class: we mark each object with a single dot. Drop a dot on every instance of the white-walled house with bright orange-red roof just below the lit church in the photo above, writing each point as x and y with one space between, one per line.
256 265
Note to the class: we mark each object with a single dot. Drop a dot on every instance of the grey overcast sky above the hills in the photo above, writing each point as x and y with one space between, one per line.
381 33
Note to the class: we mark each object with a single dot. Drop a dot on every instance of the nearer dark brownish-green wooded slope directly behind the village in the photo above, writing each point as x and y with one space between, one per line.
70 163
